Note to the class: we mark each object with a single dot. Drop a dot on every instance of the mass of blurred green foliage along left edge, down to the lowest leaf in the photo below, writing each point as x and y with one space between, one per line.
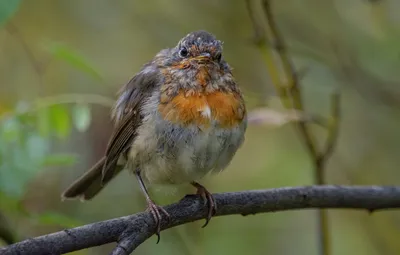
26 136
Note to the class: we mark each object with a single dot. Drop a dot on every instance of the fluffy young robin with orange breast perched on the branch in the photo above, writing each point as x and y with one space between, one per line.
181 117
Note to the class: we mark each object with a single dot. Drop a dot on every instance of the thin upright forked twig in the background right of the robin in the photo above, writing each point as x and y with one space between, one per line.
290 95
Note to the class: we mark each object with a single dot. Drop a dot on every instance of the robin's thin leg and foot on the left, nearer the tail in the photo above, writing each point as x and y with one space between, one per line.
154 209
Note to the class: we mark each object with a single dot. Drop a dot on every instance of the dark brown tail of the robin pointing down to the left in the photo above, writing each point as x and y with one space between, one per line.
89 184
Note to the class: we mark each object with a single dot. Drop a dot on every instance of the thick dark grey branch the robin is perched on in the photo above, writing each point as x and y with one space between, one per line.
131 231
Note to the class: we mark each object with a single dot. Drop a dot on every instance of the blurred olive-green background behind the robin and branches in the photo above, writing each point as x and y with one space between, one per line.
62 62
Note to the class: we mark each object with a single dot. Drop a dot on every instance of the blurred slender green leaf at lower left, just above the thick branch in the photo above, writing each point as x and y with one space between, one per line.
53 218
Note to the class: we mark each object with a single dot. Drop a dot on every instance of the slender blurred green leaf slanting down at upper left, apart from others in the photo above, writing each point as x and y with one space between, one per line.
66 54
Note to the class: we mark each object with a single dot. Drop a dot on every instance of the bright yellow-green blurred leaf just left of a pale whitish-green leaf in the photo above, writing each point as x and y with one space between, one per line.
60 120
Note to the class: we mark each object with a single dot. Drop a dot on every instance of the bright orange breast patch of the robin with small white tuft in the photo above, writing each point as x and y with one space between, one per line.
200 109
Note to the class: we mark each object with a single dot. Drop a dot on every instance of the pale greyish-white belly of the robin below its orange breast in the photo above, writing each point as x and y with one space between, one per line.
166 153
